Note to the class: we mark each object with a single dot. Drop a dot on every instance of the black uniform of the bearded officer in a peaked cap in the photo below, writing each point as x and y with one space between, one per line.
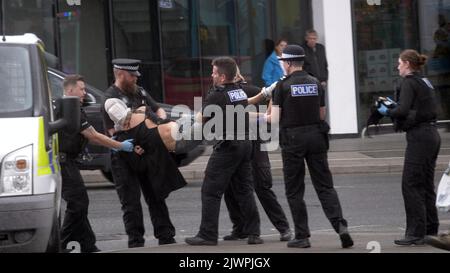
128 183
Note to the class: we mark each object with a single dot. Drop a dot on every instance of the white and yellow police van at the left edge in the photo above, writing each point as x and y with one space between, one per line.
30 179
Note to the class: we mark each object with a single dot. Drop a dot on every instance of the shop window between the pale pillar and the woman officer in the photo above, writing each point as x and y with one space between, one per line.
381 33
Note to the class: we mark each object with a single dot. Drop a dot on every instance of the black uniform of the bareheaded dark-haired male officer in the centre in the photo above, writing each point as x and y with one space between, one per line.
229 162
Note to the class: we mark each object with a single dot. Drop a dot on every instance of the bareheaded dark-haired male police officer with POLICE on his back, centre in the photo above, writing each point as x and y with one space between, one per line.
230 160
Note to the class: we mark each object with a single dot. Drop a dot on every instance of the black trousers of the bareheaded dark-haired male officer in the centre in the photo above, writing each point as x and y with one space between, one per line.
229 163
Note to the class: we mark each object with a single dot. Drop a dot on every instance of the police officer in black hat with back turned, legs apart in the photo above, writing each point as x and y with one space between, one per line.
299 105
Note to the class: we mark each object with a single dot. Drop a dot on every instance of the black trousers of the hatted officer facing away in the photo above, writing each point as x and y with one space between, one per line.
311 145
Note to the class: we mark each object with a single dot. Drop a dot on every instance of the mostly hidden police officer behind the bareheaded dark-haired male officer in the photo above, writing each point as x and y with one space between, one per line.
262 178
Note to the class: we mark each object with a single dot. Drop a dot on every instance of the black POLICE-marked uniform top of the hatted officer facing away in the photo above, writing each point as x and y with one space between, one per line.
300 97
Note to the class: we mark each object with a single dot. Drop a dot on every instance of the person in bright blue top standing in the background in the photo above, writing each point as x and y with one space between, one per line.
273 70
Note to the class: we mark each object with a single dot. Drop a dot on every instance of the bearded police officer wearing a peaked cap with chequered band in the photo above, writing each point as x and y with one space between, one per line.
128 183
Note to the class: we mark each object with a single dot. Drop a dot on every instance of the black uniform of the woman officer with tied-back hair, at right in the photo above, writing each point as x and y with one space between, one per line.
416 114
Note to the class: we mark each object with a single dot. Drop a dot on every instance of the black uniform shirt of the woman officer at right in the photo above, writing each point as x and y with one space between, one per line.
416 94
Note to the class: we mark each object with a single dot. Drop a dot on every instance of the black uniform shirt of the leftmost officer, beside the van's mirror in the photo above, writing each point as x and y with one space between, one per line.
73 144
